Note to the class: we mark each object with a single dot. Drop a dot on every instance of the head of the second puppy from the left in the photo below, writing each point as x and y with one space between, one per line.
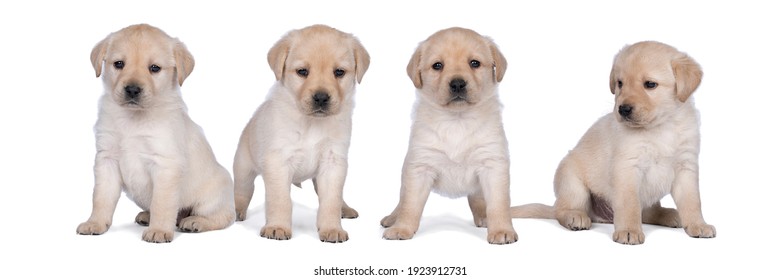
321 66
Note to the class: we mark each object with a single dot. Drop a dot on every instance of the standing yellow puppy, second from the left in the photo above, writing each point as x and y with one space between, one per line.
302 130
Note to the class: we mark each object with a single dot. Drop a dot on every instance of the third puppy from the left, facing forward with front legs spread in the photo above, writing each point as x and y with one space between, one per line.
457 144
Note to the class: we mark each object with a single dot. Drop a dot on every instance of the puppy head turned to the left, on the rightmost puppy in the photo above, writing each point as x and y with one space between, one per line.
650 80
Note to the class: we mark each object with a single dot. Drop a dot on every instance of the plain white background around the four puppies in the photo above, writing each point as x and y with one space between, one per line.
556 85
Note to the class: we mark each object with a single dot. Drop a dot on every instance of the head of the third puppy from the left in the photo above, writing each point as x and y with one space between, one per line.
456 67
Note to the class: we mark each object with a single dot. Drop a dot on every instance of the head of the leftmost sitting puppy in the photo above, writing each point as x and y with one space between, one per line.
142 65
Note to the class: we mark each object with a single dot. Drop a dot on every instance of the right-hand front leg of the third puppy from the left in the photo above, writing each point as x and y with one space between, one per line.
495 183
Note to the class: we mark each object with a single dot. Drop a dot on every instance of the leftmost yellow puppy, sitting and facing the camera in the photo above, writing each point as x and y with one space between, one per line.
148 146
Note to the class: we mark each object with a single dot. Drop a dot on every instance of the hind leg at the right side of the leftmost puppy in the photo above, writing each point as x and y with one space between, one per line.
215 211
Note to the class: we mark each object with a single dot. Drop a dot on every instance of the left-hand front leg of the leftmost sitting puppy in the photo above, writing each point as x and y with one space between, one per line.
104 197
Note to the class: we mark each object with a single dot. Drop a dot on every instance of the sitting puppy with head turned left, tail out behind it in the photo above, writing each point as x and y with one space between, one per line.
630 159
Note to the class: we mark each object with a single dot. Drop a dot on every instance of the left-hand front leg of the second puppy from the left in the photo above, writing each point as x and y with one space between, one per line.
279 205
